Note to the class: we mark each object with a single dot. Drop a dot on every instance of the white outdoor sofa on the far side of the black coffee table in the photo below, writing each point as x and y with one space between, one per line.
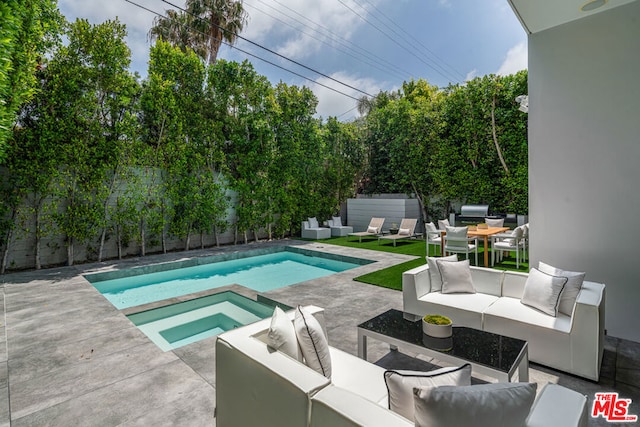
573 344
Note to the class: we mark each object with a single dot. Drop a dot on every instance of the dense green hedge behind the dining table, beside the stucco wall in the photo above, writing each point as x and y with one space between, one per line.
463 144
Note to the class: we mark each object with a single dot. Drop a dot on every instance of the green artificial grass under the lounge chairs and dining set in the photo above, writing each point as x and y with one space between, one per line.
391 277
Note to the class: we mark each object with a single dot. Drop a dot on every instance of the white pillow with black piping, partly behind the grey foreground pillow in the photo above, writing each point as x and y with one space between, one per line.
400 385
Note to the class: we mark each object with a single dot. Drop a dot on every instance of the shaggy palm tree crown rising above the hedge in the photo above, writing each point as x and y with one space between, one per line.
203 25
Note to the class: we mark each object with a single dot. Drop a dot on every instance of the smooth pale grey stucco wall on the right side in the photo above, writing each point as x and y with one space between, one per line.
584 155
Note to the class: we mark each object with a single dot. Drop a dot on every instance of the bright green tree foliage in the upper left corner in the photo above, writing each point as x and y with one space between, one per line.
28 29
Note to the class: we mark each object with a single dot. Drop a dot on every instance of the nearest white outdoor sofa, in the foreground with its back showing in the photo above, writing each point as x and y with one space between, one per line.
259 386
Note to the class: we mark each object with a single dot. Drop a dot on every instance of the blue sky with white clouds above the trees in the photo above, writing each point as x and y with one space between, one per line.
346 49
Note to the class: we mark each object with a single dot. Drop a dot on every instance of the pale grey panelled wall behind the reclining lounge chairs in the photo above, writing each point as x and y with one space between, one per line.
391 207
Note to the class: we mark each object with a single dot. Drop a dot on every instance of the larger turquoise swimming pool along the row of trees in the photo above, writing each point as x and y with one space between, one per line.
257 270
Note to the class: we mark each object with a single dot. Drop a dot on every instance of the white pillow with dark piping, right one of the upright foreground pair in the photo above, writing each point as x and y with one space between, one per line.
313 342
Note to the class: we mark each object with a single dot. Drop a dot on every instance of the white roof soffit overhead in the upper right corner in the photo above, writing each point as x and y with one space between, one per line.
538 15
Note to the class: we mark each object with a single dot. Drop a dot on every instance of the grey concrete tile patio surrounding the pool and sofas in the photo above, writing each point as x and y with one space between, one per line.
72 358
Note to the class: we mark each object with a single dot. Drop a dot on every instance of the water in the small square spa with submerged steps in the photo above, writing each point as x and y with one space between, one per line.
184 323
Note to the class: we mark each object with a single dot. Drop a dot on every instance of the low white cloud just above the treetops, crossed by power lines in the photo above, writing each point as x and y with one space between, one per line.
331 103
